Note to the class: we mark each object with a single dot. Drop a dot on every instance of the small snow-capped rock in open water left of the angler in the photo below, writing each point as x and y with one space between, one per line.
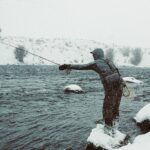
73 88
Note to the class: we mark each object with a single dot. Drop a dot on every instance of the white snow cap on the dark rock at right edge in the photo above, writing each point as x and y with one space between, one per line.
143 114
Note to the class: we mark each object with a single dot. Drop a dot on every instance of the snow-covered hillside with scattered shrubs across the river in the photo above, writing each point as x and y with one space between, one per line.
71 51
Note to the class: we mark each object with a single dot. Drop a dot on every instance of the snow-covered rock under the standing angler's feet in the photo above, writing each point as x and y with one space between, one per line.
100 139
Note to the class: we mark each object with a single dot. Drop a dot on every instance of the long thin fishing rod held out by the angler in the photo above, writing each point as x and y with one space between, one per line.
30 53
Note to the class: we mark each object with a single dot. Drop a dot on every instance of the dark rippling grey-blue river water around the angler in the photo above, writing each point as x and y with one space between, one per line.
35 113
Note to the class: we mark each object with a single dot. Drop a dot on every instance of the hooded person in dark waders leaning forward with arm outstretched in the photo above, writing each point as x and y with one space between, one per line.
112 83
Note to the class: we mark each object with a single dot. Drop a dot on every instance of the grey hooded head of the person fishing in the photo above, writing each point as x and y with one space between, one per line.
98 53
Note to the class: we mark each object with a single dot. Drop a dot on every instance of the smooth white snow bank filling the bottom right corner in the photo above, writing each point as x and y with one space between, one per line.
141 142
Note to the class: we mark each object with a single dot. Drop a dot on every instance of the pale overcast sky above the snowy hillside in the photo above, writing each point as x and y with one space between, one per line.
123 22
